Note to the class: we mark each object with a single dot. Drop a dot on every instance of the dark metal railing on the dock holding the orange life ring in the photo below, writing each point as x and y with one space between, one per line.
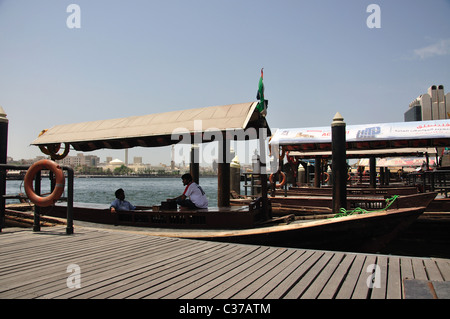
37 189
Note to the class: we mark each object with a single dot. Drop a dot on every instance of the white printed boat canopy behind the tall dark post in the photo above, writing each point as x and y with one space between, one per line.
367 139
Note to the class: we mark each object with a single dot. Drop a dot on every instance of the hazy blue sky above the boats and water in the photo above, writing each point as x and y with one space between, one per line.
141 57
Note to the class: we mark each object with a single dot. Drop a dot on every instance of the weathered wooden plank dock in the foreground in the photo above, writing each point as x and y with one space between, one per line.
117 264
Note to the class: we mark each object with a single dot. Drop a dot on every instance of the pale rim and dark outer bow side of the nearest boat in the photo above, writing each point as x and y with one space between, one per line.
366 232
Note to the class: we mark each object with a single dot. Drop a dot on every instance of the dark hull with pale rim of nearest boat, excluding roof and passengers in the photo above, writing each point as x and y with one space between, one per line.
368 232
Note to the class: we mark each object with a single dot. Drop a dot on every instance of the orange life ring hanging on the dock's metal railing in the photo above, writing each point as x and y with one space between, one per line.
59 187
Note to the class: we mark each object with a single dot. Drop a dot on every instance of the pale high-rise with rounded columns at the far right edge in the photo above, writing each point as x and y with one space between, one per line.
433 105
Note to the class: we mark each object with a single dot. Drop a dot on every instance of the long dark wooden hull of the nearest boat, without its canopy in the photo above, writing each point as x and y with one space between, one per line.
367 232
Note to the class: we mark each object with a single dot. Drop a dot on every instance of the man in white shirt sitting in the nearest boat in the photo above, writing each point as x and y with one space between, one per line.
197 198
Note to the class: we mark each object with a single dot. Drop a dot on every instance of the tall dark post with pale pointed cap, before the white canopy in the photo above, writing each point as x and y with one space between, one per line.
339 163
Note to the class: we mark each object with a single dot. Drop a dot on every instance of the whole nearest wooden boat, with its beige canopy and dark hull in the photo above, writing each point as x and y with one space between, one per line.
250 223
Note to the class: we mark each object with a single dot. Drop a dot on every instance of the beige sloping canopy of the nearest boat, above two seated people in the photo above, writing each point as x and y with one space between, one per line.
160 129
